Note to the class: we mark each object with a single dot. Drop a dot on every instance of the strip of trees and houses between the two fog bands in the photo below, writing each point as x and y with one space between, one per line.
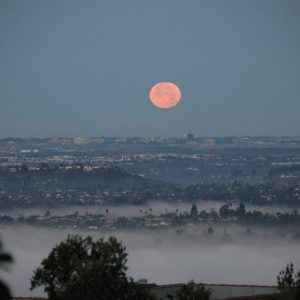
178 219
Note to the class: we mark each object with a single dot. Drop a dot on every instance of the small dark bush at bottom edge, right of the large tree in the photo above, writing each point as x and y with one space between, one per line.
193 291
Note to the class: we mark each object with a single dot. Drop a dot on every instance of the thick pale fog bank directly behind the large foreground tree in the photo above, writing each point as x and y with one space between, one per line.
161 257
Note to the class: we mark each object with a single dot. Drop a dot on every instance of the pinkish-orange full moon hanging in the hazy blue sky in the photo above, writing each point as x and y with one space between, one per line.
165 94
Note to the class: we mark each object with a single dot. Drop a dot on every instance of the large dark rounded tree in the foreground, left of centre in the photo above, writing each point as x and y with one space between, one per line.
80 268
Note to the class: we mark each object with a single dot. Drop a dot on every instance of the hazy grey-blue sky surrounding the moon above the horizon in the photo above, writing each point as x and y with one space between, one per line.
70 68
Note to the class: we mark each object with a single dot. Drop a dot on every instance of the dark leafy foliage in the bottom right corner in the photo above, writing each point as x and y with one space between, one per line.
288 282
